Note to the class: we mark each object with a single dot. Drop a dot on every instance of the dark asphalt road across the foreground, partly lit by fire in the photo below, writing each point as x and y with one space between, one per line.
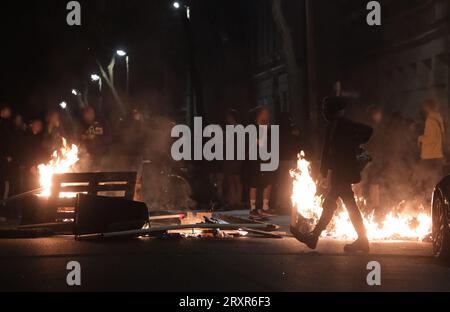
228 265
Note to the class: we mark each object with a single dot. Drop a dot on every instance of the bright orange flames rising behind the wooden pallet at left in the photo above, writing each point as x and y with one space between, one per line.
62 161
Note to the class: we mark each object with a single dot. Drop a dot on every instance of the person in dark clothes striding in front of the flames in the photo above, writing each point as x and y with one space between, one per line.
341 148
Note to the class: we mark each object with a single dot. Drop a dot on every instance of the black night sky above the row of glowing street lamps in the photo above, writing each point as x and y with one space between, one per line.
42 58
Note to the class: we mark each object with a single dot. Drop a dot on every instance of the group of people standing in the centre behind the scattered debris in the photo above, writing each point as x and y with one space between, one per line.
241 184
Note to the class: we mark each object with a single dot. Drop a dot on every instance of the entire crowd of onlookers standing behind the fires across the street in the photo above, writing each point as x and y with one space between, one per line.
407 158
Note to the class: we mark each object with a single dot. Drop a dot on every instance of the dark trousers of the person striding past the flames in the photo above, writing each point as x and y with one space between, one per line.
343 190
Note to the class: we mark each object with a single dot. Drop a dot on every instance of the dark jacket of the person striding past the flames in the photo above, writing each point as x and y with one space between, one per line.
342 144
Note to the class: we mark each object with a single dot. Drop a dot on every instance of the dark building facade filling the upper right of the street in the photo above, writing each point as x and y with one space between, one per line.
397 65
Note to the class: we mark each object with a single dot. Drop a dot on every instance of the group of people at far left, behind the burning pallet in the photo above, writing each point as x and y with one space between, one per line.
25 144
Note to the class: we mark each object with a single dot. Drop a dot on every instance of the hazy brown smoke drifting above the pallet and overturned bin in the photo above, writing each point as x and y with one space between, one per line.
141 142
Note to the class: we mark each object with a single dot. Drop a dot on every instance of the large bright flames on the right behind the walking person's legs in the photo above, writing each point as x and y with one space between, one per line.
395 226
